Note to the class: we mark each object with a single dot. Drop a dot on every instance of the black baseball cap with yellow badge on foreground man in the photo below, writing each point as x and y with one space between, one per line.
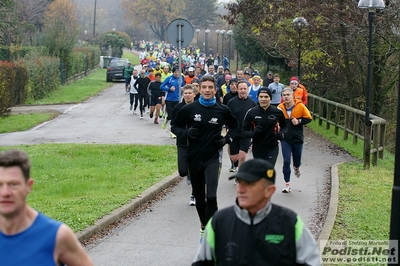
255 169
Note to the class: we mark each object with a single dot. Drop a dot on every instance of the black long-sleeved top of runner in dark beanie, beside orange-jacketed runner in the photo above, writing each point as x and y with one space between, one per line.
268 120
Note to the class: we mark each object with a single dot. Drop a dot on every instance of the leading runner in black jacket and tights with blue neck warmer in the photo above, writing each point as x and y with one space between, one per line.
201 123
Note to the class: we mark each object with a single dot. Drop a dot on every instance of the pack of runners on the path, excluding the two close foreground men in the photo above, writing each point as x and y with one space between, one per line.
210 107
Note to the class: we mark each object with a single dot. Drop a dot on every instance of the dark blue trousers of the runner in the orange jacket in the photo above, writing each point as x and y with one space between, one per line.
289 150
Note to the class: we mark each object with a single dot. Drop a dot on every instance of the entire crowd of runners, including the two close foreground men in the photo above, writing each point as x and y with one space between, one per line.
209 108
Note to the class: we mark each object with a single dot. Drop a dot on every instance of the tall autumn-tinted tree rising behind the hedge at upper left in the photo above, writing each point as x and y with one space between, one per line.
61 28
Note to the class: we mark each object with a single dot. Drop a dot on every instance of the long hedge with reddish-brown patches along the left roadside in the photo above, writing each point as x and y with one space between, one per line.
38 74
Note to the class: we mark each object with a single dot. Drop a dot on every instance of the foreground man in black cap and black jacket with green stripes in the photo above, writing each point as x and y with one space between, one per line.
255 231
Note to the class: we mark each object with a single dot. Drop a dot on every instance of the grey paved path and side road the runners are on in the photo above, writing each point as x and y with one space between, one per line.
167 233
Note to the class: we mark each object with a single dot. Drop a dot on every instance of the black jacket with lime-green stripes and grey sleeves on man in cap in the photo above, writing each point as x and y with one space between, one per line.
274 236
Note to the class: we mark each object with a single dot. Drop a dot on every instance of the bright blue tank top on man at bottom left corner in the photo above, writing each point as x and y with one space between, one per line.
34 246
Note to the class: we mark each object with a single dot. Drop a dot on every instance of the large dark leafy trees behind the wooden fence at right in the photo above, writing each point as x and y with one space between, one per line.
333 45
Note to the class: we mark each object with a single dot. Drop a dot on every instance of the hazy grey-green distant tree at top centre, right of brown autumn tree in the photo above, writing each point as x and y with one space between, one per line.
198 12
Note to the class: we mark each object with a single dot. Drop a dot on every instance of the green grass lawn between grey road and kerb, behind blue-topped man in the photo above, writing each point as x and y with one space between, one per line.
78 184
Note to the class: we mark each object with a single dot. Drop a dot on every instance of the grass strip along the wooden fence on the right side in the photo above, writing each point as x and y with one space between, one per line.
364 195
